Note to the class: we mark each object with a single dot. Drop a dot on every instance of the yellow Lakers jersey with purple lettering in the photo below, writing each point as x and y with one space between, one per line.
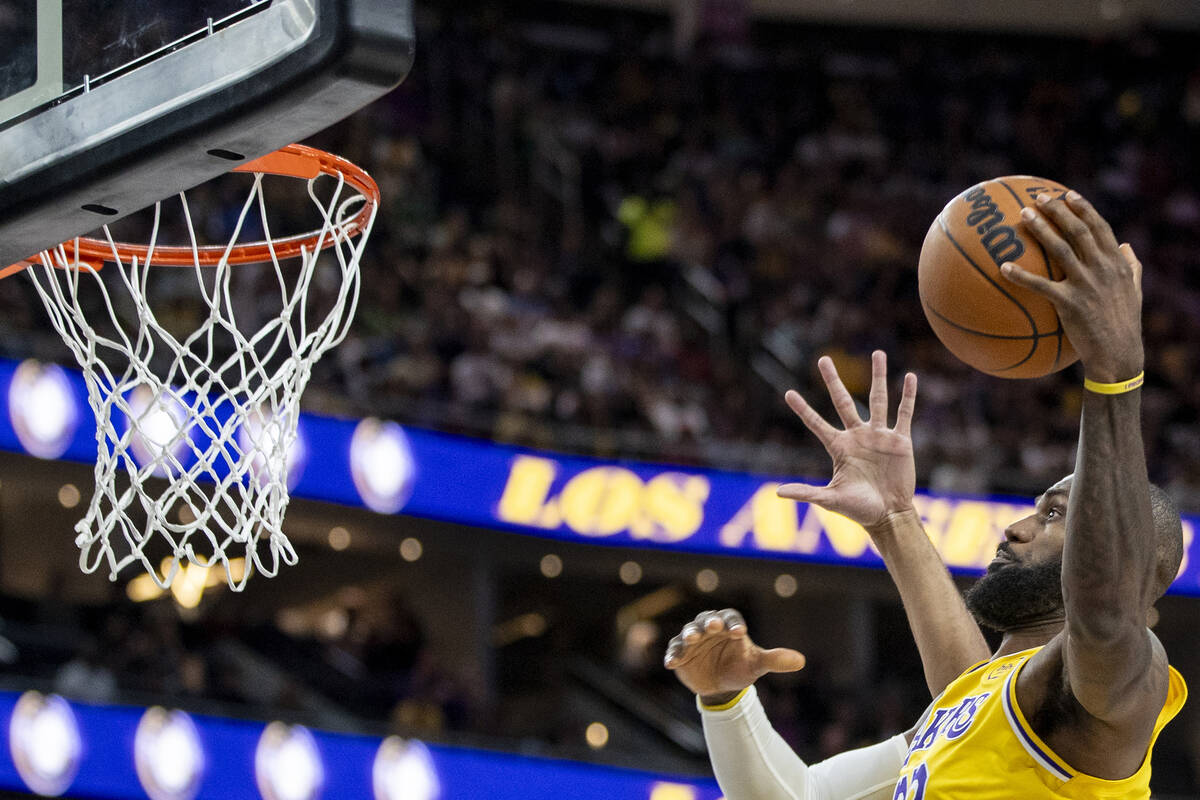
977 744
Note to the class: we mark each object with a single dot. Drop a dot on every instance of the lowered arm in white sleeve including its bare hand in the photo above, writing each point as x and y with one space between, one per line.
716 659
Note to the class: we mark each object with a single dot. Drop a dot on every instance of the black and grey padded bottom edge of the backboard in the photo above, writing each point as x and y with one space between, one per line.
193 113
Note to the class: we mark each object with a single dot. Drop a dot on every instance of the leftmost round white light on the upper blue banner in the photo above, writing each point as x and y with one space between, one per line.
43 408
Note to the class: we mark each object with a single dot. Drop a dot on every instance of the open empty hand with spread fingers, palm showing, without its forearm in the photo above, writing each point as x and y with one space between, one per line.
874 474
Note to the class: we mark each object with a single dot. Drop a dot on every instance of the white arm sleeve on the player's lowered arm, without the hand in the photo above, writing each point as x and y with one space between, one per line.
753 762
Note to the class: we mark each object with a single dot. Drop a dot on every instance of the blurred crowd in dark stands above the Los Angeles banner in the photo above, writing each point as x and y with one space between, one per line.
595 242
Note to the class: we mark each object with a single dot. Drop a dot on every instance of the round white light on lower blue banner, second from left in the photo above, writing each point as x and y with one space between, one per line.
169 755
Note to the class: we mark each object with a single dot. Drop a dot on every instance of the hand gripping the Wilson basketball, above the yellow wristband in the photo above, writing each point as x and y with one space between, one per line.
1100 298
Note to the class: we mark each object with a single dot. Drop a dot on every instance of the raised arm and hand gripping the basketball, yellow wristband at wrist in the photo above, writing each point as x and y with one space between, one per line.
1109 556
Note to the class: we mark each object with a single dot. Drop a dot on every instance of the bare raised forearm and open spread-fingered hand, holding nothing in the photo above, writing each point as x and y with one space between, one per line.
874 479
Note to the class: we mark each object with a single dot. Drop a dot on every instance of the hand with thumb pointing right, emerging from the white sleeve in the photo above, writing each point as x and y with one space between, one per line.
716 659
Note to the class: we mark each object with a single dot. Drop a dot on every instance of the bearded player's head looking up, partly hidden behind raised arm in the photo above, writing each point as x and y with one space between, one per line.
1024 584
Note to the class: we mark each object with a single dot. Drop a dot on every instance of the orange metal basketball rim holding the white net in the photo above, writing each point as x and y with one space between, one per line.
293 161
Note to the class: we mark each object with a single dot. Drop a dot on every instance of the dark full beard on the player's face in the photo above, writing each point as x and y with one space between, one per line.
1017 594
